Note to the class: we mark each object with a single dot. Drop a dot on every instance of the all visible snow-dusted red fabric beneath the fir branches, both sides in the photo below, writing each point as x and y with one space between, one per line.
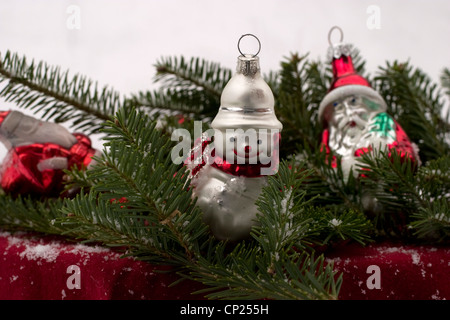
36 268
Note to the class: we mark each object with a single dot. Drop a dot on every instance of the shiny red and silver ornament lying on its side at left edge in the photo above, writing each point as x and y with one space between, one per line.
37 153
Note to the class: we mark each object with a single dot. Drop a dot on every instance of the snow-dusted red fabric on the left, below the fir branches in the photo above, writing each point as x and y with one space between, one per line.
35 268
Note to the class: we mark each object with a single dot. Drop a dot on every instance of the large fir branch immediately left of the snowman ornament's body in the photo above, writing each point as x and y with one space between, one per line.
137 166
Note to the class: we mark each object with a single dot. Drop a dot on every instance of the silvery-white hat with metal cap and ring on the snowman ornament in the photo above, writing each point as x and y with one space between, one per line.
247 100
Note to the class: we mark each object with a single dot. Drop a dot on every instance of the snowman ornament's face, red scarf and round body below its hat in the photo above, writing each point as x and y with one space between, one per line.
229 183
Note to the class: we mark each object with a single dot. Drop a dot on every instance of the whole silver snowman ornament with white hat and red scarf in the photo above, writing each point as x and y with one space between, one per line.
230 165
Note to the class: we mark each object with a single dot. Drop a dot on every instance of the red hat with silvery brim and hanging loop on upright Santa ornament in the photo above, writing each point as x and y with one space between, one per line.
346 82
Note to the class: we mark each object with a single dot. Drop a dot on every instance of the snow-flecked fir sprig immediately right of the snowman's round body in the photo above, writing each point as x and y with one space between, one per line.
285 207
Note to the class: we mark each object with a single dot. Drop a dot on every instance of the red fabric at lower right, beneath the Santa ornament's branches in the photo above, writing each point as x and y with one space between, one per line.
406 272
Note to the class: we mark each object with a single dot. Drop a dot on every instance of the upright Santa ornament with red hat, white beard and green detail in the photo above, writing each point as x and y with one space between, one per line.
354 115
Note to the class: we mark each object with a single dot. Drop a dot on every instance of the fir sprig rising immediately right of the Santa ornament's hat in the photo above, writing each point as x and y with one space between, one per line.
417 105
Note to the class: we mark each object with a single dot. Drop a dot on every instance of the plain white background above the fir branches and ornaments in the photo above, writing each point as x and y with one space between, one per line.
119 41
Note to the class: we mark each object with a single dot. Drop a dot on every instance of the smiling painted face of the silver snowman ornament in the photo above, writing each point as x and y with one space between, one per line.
250 146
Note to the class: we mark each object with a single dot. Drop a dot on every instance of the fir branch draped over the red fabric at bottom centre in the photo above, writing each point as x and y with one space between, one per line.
298 277
